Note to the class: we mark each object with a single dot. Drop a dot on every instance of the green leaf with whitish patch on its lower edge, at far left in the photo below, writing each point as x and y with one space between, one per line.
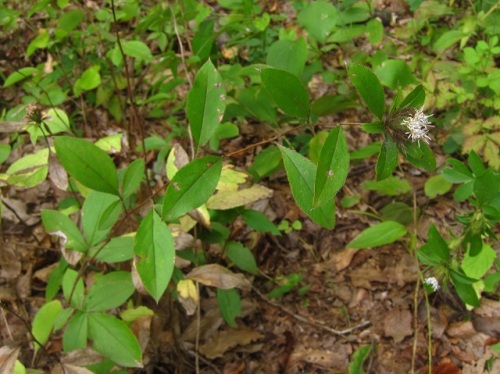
56 223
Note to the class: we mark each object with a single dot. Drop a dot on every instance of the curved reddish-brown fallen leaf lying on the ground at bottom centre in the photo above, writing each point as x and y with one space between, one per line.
227 339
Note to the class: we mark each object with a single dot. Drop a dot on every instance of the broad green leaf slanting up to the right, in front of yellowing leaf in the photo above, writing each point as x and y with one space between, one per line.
191 186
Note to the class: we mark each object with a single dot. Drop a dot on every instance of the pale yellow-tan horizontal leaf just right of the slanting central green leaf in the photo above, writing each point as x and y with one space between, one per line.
232 199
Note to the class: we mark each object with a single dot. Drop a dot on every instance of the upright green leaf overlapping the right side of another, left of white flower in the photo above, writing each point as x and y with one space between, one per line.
333 167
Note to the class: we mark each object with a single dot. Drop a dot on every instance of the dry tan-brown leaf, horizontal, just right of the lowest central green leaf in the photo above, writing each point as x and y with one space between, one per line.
218 276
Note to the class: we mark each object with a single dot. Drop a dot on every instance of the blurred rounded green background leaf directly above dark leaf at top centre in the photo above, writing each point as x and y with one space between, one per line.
288 55
